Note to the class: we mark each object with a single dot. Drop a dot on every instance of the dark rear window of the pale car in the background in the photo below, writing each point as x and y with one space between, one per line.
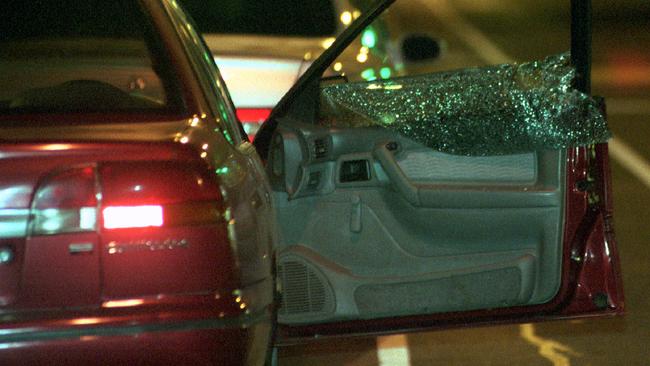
278 17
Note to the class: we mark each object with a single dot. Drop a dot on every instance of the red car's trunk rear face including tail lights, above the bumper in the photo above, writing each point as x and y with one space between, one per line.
57 246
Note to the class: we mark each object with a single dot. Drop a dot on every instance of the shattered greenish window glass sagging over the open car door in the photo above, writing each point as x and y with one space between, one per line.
496 110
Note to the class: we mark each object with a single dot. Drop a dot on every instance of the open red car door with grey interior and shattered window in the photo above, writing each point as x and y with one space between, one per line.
441 199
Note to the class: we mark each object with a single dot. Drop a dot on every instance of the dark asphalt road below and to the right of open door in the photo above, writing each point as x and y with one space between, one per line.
621 73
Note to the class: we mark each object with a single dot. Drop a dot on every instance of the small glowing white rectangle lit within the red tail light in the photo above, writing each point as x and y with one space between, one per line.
122 217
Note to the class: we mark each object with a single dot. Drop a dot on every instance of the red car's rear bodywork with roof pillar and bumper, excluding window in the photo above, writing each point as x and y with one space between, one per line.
150 292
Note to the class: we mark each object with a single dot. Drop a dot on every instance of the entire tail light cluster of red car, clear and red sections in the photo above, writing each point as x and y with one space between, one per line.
133 195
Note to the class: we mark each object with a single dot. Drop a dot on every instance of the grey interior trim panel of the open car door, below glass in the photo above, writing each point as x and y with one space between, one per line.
356 246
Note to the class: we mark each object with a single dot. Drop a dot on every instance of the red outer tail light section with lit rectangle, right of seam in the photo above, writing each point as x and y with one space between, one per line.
162 194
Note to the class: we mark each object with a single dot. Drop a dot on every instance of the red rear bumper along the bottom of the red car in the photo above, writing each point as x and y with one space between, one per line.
183 330
